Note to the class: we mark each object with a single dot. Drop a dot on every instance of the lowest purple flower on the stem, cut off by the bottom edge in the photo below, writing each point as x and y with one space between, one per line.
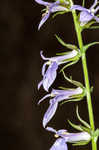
64 137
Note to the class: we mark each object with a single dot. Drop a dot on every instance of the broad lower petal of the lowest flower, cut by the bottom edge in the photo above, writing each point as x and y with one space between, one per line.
59 145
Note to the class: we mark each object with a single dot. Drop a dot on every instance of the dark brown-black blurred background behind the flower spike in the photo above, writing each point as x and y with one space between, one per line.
20 72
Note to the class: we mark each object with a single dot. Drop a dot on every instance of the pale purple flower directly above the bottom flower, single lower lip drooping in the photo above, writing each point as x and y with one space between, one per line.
58 96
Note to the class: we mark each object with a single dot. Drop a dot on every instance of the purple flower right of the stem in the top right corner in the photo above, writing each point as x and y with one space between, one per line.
87 15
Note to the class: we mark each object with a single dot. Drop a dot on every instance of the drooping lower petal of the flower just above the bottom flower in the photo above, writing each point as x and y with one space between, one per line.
50 112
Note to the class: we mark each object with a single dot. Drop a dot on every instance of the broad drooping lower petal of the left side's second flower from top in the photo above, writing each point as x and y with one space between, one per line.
50 76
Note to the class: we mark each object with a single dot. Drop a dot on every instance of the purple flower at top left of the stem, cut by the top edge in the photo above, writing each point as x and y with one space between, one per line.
50 8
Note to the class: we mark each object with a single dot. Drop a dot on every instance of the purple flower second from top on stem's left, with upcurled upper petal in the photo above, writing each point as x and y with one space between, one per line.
49 75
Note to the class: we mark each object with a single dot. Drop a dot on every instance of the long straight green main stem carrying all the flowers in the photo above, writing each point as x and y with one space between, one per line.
86 78
